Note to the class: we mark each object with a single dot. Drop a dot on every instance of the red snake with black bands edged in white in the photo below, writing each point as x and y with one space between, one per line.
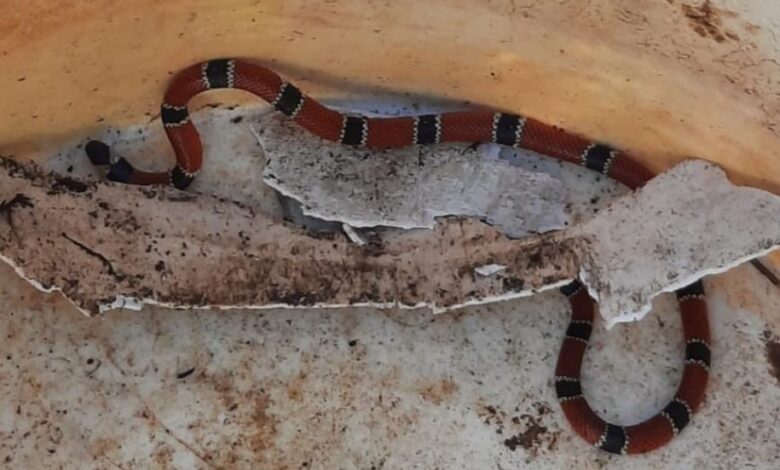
466 126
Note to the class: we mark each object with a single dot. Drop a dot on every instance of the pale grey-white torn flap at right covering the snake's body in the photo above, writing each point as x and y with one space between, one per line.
685 224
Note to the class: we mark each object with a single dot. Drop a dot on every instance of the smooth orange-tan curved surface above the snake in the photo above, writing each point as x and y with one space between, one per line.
655 79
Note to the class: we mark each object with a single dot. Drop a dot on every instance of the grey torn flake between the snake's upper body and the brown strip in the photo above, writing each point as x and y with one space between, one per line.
407 187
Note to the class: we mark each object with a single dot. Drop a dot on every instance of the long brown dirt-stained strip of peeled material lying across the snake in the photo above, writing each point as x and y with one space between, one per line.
105 245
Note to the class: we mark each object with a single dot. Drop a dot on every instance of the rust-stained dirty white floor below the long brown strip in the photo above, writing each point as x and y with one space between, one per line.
363 388
